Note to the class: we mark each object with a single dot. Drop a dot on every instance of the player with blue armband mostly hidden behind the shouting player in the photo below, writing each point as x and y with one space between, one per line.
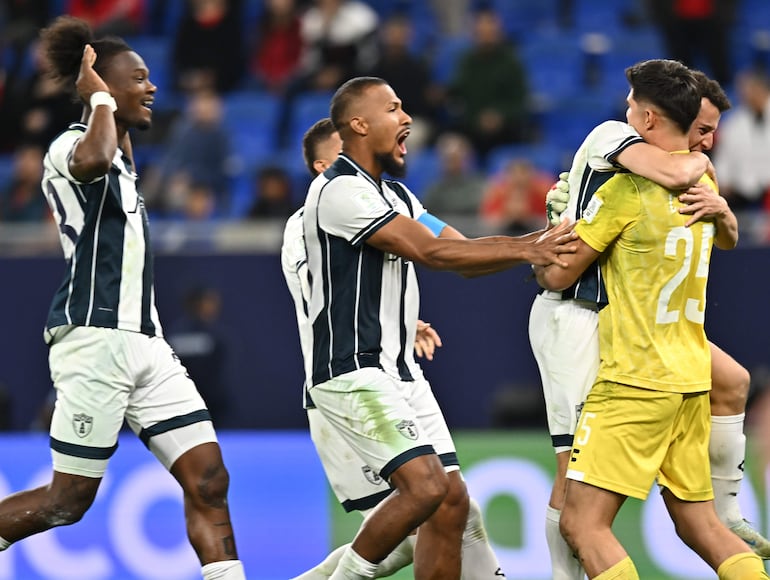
356 486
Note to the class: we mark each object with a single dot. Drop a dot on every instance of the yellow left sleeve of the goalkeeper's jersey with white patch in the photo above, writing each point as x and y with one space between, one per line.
614 207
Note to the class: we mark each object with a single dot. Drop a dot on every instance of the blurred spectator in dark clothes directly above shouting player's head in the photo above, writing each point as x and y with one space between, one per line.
409 75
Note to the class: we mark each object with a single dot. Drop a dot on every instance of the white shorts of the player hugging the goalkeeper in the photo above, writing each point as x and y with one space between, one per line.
564 336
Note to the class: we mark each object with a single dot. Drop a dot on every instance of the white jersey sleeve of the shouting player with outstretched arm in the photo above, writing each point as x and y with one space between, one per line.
352 209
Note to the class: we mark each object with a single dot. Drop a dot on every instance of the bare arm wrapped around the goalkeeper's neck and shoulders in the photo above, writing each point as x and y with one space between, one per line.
671 170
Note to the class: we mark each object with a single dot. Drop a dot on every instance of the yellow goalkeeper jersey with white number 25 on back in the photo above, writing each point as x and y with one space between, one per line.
655 270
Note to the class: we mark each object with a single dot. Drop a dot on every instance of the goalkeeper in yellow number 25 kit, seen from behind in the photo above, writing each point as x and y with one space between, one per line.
647 414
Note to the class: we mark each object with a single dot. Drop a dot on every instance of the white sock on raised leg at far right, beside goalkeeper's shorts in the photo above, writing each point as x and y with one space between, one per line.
727 452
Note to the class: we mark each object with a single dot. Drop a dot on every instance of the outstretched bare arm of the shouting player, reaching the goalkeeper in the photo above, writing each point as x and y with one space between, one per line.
409 239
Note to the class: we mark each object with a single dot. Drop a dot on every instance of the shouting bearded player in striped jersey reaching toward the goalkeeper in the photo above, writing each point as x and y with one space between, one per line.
362 241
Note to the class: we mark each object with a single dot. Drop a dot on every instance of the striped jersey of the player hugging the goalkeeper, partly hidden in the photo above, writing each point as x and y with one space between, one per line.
594 164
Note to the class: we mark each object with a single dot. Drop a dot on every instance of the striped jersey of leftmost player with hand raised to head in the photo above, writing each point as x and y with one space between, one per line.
104 233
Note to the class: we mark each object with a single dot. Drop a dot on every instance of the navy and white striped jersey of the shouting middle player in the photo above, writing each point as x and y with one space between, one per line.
363 303
